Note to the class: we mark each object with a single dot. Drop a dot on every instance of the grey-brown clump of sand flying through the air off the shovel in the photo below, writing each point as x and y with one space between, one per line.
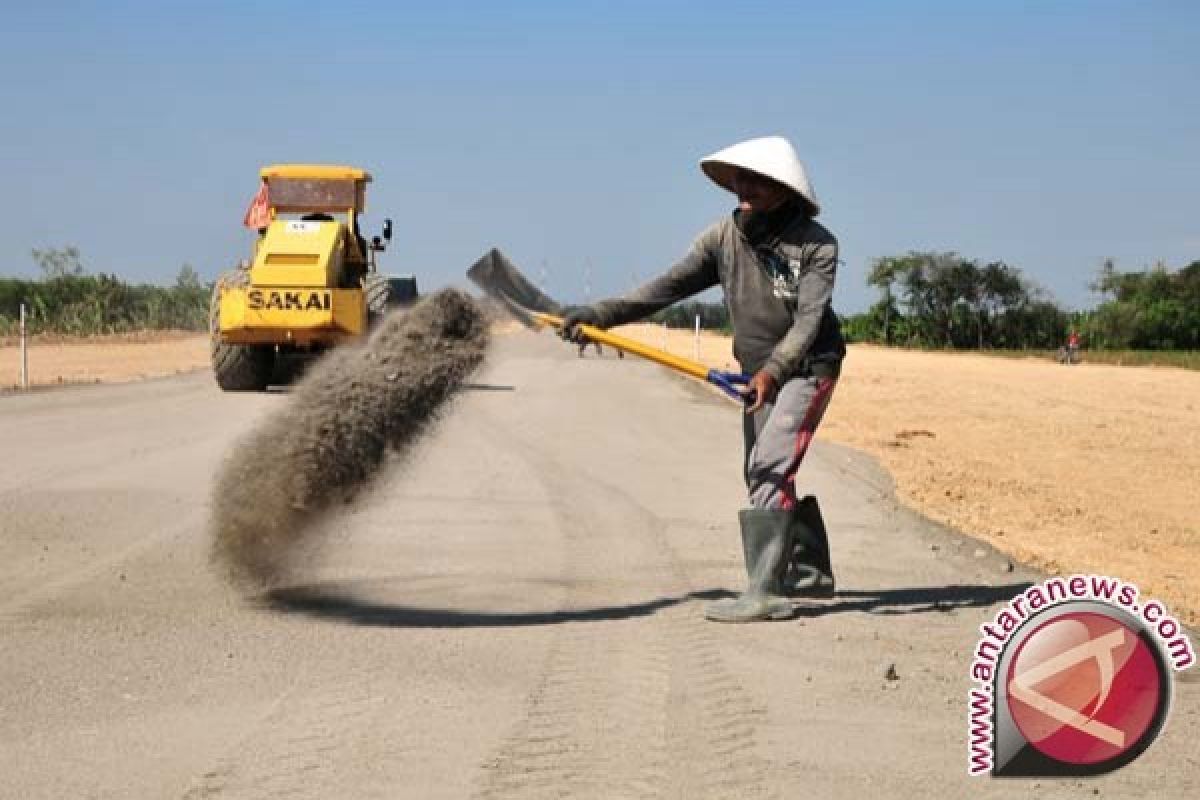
331 440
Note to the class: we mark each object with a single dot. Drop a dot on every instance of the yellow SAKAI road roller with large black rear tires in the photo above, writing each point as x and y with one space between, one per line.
313 282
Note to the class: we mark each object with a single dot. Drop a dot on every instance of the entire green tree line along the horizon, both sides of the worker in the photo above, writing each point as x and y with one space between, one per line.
927 299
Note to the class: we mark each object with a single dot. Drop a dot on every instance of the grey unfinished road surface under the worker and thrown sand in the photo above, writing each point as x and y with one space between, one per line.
515 612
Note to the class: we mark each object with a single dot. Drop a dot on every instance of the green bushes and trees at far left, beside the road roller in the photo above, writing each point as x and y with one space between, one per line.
69 300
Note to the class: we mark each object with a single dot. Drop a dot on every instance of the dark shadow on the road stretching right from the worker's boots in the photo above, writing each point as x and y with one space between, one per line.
915 600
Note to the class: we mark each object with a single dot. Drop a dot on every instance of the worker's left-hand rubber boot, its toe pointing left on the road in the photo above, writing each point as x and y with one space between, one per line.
766 544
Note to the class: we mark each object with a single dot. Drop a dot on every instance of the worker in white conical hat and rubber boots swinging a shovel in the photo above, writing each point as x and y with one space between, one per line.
777 267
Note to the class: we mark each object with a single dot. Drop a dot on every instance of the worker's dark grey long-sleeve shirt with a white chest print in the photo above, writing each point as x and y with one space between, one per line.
779 296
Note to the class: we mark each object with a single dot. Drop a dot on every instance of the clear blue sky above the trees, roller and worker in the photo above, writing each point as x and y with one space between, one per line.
1046 135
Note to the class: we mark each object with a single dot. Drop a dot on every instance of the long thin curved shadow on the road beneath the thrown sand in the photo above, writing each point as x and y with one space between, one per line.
338 603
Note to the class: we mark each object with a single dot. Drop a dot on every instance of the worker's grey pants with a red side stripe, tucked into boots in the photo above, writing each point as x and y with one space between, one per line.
778 436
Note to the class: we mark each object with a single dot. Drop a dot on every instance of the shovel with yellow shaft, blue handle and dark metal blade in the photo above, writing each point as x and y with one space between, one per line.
499 278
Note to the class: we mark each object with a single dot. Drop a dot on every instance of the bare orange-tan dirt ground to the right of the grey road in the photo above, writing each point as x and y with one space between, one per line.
1089 468
